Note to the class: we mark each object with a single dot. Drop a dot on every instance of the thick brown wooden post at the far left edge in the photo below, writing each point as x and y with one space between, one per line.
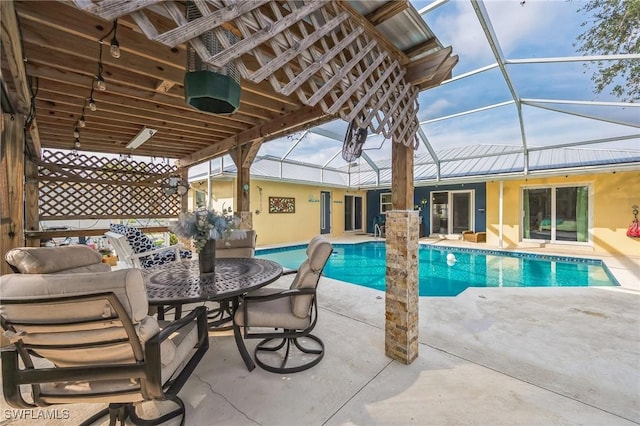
11 186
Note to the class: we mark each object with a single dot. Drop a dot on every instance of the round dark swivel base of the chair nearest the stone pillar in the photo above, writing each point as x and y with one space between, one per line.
264 347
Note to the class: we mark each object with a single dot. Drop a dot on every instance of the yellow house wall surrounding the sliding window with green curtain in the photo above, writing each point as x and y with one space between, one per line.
613 194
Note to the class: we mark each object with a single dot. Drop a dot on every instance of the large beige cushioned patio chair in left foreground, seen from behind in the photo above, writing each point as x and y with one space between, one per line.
87 338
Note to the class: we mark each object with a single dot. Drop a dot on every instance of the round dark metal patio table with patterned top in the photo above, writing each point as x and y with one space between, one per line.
177 283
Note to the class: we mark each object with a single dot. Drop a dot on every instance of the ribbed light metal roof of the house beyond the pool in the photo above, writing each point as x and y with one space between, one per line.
478 162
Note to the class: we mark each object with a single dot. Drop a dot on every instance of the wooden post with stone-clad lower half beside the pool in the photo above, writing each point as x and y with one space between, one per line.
402 233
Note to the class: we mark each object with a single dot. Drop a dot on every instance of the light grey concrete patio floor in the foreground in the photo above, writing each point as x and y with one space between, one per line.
490 356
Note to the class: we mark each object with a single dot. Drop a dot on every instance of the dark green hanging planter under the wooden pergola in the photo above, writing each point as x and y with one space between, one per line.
207 88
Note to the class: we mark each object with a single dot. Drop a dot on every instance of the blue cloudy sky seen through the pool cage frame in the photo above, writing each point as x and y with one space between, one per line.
533 29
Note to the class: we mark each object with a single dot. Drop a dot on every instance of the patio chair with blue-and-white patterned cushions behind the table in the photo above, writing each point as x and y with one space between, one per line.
138 251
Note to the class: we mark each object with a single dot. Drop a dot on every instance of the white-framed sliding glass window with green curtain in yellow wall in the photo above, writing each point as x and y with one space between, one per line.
559 213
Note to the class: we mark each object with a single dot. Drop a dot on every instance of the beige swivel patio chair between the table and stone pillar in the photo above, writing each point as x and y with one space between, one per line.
292 312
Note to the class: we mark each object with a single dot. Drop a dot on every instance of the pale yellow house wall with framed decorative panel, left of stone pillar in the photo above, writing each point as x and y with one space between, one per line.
277 228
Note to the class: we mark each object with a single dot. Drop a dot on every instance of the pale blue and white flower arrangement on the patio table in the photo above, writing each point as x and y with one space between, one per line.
203 225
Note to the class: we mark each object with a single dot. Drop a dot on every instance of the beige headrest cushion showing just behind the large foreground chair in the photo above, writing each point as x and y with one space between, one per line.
47 260
